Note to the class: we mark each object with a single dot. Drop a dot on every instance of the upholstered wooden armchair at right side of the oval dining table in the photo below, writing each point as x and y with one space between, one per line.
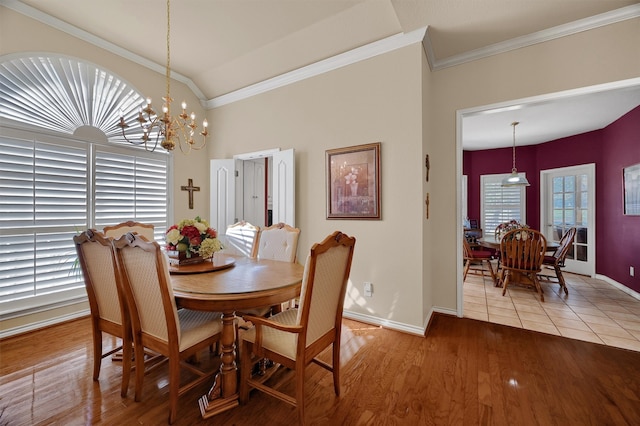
295 337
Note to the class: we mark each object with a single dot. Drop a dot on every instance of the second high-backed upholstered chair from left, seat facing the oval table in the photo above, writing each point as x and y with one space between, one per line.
156 321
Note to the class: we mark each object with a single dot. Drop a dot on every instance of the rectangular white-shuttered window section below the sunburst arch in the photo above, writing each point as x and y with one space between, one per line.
48 195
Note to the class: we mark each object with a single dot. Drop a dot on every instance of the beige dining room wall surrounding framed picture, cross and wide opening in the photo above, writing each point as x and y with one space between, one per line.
393 99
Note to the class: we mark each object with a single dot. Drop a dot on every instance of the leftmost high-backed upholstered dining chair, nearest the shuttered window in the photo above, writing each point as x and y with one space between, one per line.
108 309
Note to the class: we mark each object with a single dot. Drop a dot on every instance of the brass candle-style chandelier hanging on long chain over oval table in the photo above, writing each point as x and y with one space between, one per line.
172 131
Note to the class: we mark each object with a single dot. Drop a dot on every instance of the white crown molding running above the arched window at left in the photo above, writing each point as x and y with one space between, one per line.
58 24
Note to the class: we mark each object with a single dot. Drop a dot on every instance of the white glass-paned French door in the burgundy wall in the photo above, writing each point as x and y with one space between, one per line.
567 200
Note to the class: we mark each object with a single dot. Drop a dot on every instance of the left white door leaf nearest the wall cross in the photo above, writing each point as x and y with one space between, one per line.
222 175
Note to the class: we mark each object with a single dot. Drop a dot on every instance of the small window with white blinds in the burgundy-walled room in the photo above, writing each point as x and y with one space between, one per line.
500 204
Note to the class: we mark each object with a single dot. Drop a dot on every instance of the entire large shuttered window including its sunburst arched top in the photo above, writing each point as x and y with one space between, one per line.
59 177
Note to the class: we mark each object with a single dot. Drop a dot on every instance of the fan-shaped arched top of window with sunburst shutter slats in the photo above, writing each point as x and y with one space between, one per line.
62 94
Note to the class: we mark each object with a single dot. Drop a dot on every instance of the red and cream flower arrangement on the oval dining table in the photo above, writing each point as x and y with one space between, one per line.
193 237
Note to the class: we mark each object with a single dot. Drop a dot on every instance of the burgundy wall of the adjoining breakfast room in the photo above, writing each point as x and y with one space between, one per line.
612 148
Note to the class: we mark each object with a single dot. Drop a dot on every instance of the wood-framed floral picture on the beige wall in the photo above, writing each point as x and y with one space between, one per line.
353 182
